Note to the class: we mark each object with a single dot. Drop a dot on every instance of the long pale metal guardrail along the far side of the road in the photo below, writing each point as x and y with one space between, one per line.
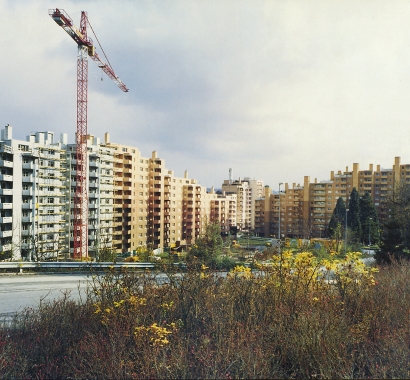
21 265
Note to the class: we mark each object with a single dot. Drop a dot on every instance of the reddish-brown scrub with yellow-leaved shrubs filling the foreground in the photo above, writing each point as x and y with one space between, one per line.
279 322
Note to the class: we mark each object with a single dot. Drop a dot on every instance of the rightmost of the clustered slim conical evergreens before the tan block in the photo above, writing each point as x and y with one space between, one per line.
369 220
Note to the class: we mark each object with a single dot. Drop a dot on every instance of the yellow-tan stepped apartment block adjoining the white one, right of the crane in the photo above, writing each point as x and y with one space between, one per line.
153 207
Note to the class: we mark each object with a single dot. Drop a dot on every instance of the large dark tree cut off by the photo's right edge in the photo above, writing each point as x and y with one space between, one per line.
395 240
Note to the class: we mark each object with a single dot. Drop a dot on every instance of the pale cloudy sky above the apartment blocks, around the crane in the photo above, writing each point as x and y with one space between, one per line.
275 90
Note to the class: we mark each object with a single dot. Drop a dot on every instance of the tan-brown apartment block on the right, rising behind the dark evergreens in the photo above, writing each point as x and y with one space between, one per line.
306 210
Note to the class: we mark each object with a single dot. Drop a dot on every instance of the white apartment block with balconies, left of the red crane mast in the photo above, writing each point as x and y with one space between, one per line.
33 196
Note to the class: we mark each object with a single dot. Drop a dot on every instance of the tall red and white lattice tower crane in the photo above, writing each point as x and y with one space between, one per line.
85 48
